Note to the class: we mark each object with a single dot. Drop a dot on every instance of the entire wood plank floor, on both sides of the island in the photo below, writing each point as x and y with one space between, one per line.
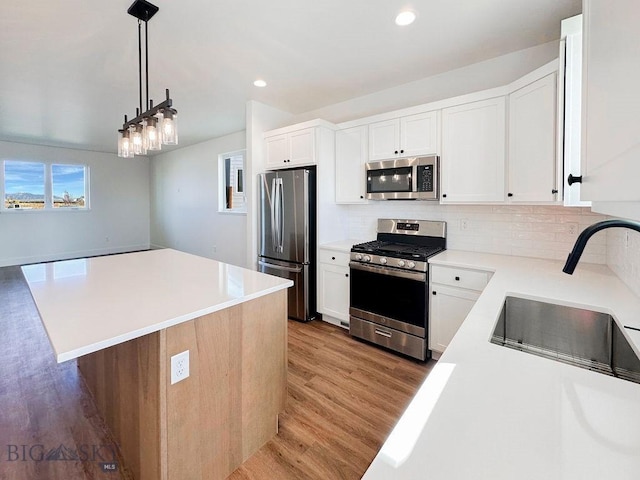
344 397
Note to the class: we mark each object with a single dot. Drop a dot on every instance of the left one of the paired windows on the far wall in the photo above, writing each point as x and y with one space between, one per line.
24 184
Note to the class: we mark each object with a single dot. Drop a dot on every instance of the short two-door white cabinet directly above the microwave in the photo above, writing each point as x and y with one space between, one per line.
408 136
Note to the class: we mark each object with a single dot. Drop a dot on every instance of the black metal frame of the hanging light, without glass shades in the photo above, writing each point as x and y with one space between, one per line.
144 11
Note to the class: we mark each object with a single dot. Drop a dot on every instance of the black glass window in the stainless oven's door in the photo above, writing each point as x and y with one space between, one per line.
401 299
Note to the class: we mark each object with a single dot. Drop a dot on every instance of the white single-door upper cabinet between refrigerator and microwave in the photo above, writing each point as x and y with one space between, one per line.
351 156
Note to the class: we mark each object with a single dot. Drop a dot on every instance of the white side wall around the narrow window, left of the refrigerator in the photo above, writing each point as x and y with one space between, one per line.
184 202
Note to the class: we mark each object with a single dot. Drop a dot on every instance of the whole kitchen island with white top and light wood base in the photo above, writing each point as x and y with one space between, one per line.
124 316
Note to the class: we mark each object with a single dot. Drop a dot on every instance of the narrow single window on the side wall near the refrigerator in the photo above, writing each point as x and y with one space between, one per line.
232 196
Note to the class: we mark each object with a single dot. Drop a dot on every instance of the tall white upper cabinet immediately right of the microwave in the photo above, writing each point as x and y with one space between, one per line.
473 152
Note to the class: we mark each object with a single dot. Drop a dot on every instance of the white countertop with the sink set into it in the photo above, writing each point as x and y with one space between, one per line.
490 412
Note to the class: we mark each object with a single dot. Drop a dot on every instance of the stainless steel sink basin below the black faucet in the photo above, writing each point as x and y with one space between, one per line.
580 337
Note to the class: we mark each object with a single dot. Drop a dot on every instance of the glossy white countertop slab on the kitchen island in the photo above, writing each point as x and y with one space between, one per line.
90 304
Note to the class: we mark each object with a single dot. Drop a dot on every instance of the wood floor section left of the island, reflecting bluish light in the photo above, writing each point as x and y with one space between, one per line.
44 405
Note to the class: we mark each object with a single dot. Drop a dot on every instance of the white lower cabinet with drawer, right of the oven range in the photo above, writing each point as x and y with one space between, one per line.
454 291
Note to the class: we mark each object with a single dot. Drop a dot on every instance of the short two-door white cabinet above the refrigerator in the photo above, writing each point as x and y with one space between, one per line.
292 149
